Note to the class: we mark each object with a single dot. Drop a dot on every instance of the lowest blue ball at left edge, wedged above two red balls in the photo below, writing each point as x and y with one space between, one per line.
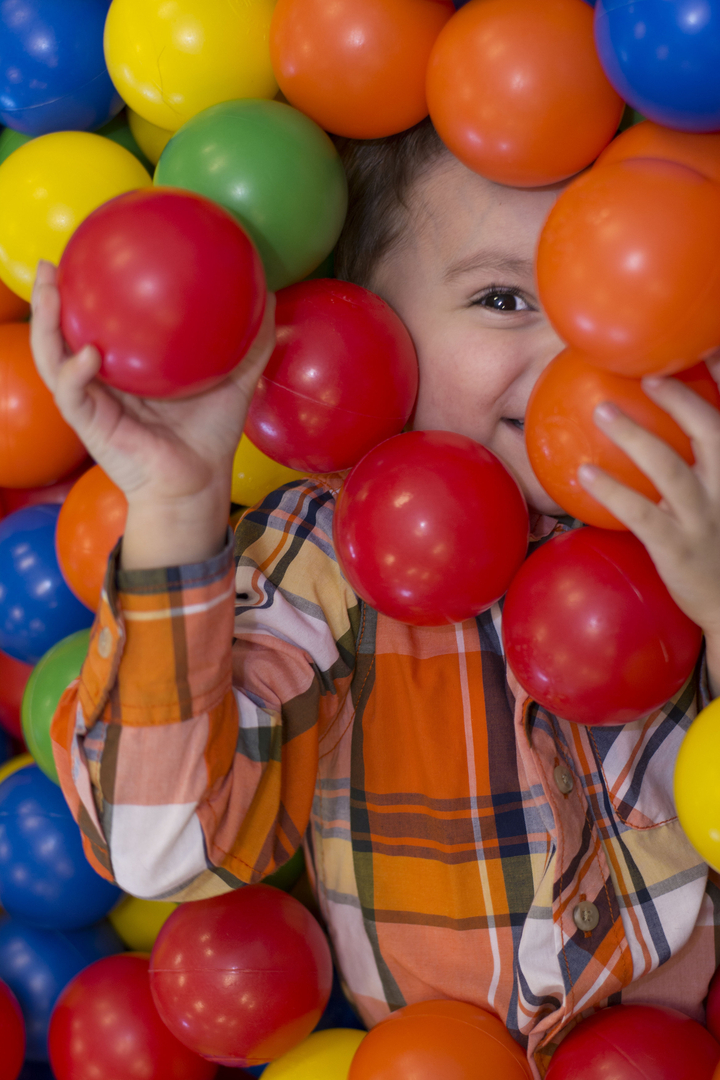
37 965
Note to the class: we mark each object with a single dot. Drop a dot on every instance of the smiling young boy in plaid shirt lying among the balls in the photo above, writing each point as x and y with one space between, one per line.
463 842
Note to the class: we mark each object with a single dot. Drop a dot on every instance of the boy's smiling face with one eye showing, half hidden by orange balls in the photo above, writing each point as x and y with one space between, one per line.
463 281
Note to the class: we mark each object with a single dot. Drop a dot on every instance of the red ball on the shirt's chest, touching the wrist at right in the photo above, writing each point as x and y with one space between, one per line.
593 634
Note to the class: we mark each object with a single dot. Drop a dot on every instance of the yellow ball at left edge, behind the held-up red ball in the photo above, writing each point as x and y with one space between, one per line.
48 187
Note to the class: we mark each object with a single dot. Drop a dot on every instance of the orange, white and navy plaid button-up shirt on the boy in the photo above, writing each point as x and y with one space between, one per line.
420 777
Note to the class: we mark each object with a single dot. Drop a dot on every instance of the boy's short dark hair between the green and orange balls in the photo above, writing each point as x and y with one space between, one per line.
381 173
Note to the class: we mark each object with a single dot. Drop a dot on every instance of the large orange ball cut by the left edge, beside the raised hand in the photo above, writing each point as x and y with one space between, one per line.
37 447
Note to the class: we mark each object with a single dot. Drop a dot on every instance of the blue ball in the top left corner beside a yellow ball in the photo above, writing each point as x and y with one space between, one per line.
53 75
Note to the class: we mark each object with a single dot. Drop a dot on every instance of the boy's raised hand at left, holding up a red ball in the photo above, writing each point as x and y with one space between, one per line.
171 458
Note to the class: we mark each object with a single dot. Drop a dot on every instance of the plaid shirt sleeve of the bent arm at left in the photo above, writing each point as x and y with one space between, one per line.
188 748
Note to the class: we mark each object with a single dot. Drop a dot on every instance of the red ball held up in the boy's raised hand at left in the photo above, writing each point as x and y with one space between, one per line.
168 287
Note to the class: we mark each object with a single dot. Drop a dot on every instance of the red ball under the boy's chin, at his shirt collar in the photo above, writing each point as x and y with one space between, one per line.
430 529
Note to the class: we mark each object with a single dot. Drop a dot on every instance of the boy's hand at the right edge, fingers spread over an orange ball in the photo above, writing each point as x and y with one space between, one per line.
683 532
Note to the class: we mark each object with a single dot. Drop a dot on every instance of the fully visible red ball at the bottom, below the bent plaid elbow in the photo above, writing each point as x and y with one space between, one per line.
242 978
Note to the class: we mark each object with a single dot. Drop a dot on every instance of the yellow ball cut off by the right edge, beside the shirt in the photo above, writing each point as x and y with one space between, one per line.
698 785
